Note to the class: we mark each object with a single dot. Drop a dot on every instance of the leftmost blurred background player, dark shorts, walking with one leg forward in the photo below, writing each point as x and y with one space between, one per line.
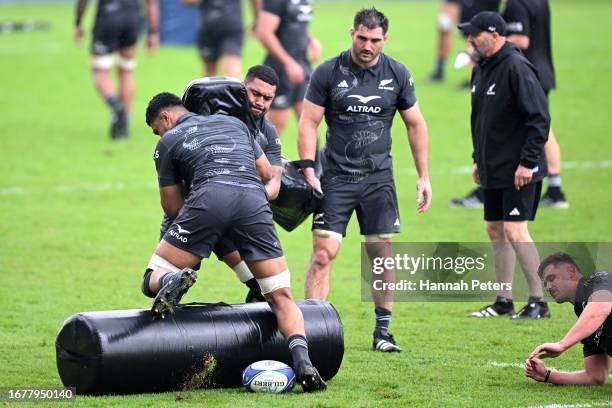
114 37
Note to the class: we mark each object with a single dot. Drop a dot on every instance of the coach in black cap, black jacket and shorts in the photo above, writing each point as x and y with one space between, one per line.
510 124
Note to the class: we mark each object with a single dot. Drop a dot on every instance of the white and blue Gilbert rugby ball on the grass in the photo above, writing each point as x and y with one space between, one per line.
268 376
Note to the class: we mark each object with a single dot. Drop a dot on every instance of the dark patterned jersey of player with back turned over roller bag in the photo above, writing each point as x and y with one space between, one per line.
207 148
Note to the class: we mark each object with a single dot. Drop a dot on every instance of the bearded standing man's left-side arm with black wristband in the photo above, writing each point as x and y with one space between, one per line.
312 114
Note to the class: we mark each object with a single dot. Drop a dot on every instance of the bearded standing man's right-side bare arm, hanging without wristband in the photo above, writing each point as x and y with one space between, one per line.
418 137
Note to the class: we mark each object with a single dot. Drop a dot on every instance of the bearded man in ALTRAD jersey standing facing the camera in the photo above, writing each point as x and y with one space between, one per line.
359 92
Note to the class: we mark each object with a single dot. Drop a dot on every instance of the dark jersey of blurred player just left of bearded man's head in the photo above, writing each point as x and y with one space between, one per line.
292 32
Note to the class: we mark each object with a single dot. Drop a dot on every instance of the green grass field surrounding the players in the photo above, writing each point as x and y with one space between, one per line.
80 214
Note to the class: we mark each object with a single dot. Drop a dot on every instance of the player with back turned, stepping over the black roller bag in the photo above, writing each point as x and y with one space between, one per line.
227 197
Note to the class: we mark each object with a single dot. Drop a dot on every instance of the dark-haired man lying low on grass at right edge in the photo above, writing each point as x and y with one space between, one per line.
592 299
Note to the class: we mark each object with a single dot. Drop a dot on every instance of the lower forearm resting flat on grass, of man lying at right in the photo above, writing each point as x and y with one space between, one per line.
596 369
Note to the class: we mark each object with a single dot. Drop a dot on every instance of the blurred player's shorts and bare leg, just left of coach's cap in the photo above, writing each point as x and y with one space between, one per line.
451 12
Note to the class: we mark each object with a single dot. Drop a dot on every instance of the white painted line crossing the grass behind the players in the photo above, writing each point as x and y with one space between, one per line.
75 188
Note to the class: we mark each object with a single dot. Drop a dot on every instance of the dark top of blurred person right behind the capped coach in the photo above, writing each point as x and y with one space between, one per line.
532 18
